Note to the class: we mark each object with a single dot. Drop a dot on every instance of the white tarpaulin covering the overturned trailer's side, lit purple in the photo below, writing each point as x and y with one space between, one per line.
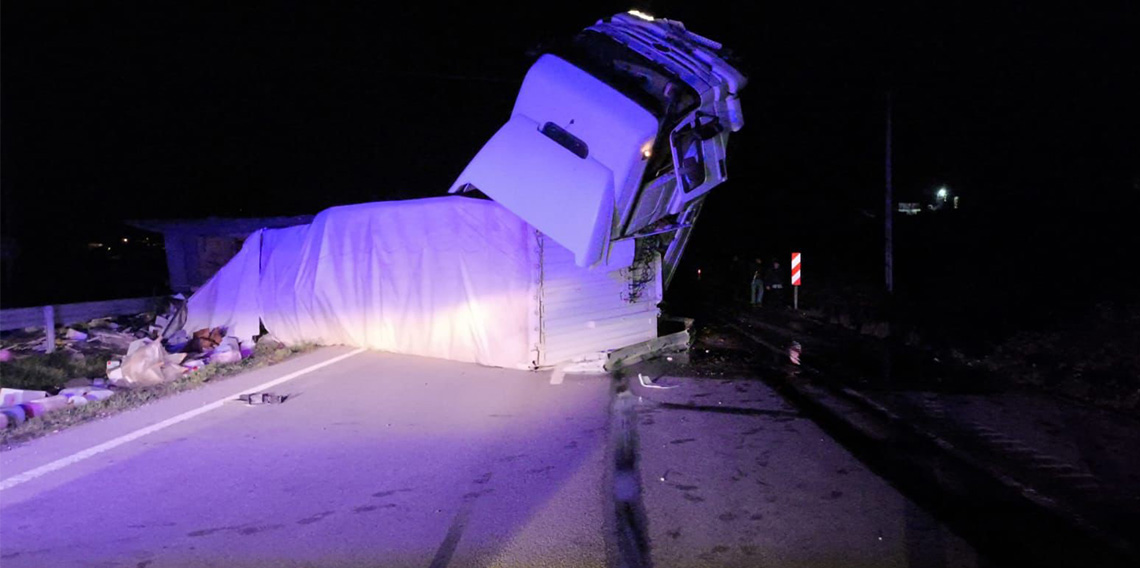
446 278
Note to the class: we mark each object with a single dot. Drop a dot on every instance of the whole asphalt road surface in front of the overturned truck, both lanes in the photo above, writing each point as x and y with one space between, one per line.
386 460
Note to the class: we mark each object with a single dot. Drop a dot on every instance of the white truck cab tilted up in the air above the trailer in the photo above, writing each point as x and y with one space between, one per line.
618 135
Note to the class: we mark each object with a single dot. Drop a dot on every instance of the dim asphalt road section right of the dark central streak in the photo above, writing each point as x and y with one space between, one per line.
734 476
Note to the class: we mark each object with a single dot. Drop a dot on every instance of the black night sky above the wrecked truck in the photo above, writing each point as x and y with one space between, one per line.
181 110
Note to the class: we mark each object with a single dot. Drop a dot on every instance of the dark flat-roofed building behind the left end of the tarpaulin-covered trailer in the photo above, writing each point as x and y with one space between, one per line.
198 248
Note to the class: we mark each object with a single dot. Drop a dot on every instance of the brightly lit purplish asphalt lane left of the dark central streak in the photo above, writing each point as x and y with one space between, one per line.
379 460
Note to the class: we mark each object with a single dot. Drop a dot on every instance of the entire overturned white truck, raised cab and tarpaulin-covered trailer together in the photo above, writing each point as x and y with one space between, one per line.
595 185
